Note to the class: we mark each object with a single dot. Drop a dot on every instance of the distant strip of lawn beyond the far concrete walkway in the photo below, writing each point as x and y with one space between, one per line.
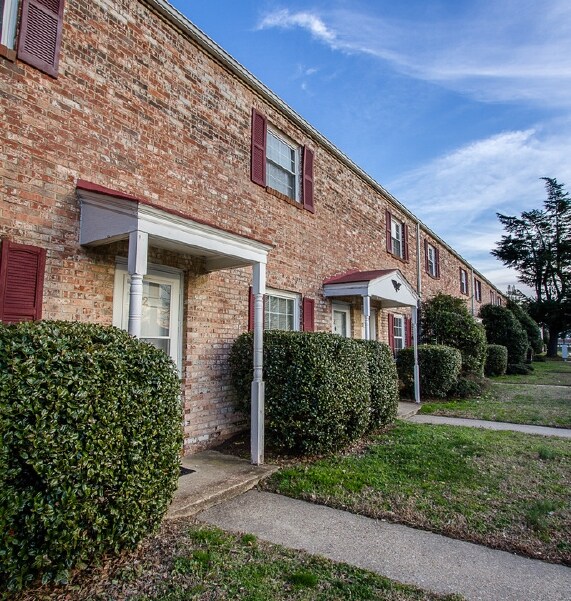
515 403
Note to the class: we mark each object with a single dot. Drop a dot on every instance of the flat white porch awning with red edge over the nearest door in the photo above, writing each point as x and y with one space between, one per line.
108 216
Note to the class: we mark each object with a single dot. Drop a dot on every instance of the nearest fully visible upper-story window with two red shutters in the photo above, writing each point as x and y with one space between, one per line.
280 164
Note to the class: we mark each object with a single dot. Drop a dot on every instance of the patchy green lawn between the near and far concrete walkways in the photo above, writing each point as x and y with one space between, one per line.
503 489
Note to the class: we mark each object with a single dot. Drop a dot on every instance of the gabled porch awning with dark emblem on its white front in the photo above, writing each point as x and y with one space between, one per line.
388 286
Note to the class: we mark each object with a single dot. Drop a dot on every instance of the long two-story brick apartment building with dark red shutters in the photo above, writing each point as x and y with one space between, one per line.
149 181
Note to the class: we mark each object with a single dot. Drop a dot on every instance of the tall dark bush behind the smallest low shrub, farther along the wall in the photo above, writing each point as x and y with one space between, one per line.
503 328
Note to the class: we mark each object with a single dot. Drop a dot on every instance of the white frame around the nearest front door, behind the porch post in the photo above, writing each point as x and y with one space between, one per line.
158 273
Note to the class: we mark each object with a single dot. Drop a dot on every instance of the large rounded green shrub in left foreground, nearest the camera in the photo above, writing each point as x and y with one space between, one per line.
90 422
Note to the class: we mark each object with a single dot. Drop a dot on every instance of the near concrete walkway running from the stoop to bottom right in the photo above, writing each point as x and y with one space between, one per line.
412 556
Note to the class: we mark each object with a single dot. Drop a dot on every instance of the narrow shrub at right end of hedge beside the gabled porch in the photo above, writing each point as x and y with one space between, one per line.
384 382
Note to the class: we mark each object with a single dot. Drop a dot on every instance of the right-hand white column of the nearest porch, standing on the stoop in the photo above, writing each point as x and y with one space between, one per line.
258 392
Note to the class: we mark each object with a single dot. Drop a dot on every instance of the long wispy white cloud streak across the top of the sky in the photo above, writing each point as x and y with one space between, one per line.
501 52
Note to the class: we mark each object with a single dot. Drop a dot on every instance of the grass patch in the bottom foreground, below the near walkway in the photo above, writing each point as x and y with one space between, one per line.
187 561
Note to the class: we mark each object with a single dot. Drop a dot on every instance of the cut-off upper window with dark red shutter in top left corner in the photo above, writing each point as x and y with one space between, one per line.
40 31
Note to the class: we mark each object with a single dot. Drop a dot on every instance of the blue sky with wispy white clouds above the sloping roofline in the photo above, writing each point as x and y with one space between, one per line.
457 107
